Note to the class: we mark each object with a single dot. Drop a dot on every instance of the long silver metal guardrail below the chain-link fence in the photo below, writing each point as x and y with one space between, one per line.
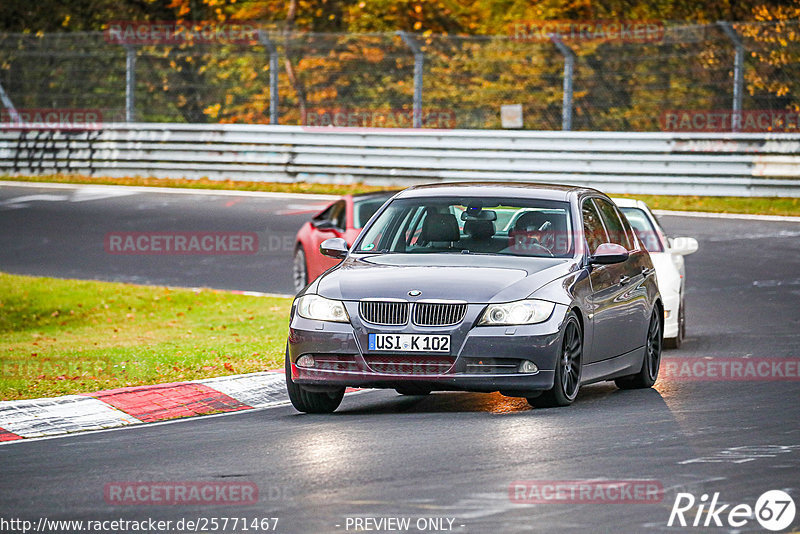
615 162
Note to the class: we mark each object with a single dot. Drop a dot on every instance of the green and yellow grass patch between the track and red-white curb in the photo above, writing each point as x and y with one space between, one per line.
61 337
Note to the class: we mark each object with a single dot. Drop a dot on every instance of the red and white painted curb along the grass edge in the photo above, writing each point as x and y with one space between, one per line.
113 408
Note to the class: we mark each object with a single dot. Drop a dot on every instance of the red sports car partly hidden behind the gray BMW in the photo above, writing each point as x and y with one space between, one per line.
343 218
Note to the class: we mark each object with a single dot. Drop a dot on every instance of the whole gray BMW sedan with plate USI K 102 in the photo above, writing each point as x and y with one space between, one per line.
527 289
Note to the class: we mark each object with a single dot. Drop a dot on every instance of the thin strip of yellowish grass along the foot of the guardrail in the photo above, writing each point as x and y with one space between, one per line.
755 206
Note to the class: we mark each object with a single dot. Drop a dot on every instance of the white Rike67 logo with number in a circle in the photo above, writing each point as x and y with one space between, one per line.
774 510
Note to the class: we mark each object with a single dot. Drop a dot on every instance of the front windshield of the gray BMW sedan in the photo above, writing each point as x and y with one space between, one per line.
516 227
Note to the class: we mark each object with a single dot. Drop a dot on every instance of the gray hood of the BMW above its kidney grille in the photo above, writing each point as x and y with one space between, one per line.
473 278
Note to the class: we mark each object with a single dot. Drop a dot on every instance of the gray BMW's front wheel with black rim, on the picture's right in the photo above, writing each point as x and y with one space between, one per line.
568 370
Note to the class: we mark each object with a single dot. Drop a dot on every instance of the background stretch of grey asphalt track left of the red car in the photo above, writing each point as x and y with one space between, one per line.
62 232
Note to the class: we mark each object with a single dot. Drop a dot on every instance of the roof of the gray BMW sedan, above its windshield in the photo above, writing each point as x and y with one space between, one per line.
501 189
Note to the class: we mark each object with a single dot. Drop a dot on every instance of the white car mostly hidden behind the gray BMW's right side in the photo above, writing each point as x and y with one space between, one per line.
667 254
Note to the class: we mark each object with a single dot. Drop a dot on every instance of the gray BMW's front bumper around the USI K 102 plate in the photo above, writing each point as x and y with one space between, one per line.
349 362
